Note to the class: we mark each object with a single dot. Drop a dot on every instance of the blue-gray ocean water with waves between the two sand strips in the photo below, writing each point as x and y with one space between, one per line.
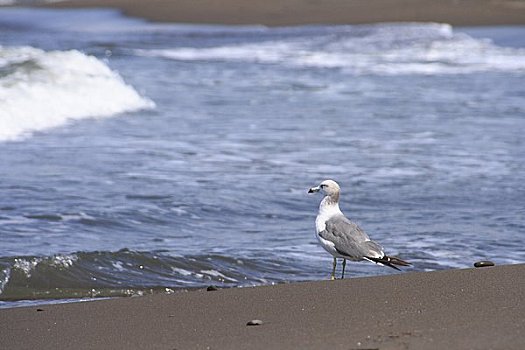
144 158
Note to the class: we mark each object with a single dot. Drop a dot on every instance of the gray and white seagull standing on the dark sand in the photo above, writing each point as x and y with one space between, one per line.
343 238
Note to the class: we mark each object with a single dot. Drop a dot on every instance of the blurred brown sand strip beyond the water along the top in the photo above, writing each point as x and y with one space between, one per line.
294 12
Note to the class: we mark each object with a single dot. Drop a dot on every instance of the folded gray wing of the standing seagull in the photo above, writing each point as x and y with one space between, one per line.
349 239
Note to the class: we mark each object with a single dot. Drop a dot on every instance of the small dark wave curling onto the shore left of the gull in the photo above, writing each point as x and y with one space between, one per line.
129 273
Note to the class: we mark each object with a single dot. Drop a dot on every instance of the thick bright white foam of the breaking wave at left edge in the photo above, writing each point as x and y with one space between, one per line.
44 89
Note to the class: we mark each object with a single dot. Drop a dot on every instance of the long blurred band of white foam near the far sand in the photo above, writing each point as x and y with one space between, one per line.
381 49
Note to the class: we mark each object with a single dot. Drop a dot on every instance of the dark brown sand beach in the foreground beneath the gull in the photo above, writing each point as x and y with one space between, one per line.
456 309
